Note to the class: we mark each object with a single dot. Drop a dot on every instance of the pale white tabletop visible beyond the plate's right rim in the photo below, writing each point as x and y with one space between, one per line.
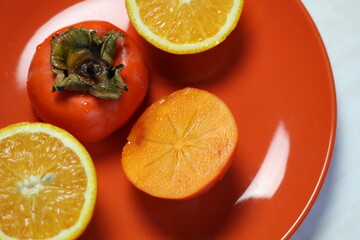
336 213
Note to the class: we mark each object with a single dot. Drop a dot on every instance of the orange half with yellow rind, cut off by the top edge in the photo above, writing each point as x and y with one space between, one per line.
184 26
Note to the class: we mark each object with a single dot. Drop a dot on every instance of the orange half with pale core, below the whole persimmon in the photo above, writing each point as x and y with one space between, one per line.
47 183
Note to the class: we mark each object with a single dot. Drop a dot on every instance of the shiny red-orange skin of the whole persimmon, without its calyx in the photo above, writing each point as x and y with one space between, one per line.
88 118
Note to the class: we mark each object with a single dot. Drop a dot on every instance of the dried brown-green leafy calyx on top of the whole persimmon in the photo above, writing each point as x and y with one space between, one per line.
83 62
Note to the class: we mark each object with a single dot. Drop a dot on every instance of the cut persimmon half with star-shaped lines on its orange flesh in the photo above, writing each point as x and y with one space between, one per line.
181 145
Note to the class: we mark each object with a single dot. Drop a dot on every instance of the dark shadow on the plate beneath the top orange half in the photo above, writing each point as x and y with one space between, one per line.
195 69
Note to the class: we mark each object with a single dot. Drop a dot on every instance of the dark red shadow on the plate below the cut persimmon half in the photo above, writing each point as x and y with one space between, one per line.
202 217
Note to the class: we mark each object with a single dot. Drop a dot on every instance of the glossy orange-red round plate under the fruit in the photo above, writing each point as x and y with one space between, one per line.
274 74
